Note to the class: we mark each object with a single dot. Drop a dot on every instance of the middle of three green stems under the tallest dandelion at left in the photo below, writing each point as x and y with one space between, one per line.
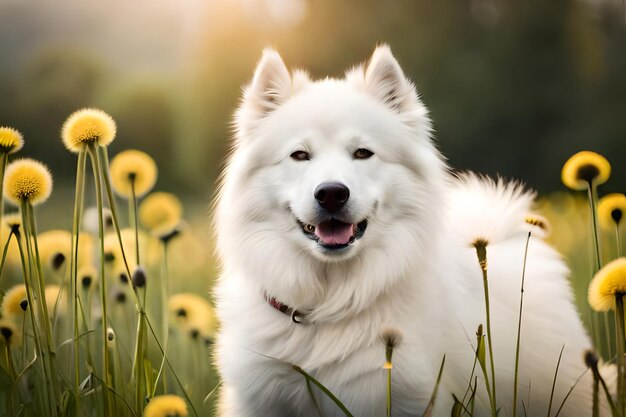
95 164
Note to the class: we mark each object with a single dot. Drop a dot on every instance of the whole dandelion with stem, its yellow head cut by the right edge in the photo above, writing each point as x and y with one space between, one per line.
606 292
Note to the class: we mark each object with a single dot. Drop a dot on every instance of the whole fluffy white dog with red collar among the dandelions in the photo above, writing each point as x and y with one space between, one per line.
337 219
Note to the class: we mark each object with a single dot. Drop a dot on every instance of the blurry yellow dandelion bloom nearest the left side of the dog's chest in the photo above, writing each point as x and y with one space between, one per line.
193 312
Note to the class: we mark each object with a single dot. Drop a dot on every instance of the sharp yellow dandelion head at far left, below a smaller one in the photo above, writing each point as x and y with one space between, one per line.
27 180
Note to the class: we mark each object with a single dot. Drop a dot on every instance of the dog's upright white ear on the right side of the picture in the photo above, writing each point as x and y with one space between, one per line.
385 80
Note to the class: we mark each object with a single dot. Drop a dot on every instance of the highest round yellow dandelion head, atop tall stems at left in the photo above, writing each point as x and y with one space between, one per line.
87 126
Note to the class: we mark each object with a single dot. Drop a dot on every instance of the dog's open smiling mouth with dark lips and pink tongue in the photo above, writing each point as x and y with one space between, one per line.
334 234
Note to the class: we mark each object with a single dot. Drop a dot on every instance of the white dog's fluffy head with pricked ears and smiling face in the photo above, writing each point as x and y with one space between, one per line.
333 170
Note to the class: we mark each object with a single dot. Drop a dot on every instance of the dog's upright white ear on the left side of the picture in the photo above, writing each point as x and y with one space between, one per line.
270 87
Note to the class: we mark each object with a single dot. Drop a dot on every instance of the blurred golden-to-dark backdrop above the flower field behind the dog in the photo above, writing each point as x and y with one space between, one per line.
514 87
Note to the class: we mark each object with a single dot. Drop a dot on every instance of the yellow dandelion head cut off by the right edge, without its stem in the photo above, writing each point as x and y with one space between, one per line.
606 284
